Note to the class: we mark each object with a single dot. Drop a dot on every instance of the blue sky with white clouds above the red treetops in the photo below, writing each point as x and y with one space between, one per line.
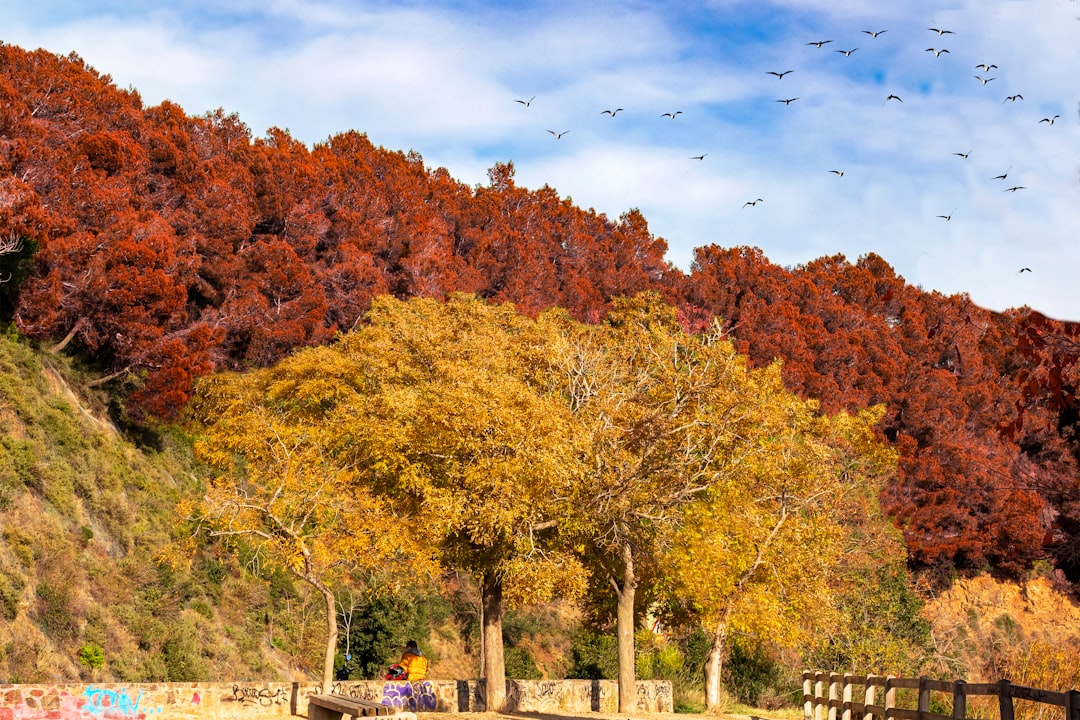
469 85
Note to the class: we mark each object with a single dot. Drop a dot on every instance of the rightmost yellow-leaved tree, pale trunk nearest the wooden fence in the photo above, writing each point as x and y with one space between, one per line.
761 554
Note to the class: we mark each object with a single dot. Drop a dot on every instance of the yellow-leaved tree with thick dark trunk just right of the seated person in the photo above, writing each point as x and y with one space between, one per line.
464 418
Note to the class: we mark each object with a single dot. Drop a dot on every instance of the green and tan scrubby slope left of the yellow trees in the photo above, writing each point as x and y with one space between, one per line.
87 517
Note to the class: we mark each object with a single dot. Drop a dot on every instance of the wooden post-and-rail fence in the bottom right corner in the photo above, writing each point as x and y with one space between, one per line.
832 697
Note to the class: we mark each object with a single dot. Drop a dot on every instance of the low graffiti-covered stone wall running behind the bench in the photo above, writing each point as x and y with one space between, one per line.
204 701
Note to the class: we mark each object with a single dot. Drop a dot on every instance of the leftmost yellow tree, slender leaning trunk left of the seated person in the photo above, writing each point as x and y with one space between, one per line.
282 483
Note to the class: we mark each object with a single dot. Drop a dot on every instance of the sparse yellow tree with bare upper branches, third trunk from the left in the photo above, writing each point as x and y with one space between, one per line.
657 411
